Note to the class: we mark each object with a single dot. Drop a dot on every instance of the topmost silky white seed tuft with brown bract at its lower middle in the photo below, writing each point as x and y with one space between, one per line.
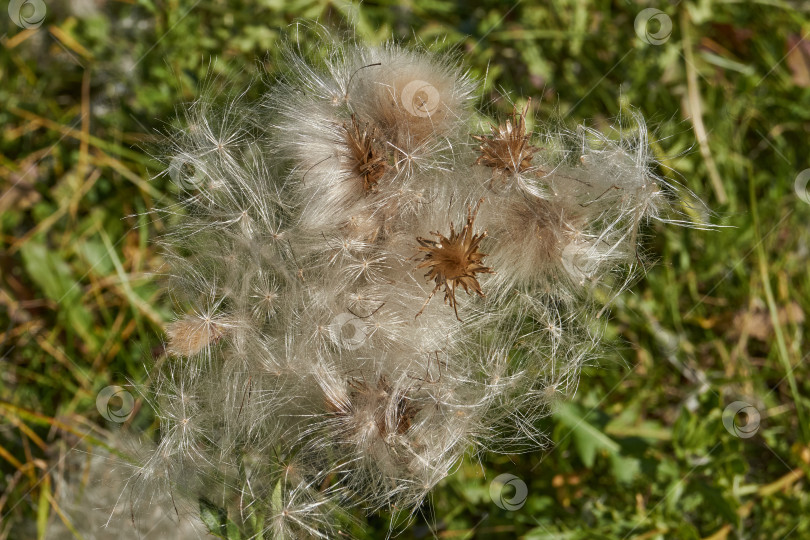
401 113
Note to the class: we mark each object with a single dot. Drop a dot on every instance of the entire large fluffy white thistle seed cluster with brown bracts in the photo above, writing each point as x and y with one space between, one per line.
302 385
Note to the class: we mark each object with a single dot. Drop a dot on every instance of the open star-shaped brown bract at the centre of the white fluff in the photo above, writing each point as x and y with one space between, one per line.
454 261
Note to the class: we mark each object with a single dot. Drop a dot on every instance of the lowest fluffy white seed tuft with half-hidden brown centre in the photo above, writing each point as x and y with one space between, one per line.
391 433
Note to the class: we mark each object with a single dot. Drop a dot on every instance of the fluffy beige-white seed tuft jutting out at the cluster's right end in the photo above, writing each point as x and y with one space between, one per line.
577 223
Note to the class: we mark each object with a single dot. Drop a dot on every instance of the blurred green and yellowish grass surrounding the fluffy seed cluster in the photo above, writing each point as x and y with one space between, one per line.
641 451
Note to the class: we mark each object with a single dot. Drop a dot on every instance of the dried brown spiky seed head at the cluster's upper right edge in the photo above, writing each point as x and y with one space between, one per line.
507 150
